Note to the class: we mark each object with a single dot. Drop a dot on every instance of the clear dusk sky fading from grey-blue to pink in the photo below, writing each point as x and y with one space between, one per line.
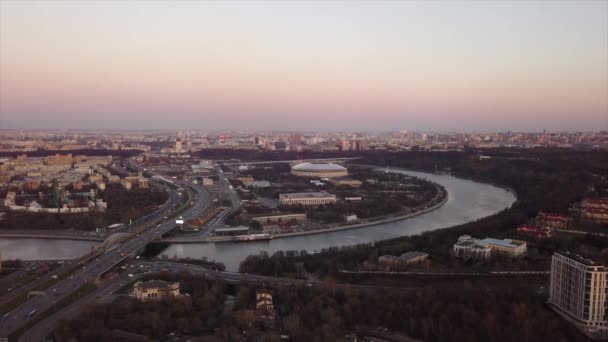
344 65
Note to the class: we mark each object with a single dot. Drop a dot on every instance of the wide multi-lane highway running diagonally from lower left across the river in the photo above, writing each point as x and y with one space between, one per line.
18 317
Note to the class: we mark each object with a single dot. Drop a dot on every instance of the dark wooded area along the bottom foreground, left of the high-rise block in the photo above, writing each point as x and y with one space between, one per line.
326 313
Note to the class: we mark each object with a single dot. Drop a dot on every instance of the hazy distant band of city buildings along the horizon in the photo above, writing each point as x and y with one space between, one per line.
191 141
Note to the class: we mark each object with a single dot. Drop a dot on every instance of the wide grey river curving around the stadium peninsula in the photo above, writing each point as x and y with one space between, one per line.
467 201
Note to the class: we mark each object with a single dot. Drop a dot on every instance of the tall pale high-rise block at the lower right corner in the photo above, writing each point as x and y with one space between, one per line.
578 293
